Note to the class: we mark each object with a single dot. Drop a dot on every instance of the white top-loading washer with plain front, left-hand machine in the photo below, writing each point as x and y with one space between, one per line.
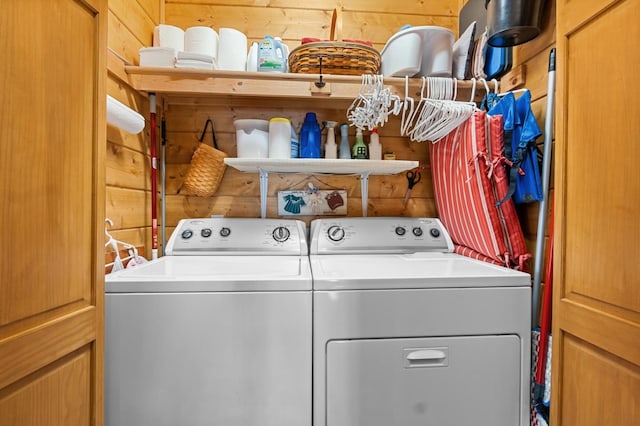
217 332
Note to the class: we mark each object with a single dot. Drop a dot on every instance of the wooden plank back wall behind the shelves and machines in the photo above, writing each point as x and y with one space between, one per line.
238 194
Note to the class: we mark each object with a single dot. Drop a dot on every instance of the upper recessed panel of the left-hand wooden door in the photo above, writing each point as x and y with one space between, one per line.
48 112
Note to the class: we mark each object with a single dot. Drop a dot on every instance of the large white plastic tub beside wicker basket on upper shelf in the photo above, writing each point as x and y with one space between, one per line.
424 51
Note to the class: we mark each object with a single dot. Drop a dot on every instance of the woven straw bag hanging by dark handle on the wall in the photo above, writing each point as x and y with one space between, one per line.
206 169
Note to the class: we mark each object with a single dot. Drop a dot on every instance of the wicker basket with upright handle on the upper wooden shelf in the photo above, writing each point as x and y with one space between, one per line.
338 57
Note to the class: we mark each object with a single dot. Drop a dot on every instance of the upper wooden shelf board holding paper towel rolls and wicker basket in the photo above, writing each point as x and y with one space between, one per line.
267 85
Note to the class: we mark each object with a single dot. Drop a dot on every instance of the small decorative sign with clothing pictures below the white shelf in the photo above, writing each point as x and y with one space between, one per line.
312 202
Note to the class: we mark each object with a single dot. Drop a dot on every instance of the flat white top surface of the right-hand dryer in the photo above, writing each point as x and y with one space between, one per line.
417 270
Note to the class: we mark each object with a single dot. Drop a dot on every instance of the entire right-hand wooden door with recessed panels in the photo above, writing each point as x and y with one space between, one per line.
596 308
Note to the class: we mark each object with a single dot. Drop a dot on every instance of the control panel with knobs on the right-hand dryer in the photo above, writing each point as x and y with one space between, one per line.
379 235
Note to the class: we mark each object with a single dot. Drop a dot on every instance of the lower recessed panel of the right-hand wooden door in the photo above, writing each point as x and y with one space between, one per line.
608 395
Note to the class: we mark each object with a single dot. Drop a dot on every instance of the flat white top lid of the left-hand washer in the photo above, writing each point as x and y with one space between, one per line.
213 273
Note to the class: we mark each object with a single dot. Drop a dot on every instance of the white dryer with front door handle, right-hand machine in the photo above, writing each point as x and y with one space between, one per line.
408 333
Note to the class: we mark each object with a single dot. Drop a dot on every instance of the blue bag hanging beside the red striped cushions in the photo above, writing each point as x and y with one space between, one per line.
520 132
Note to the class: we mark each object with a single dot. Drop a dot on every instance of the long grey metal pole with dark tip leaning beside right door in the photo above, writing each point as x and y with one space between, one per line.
546 173
